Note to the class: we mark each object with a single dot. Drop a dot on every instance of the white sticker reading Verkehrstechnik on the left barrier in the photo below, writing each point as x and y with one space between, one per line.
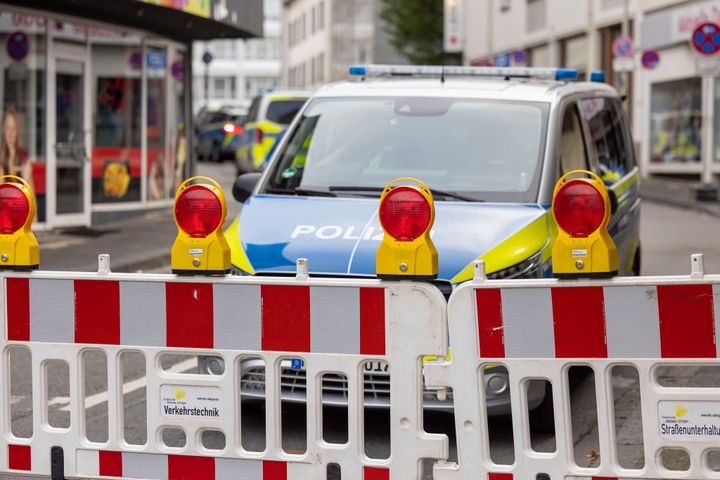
190 402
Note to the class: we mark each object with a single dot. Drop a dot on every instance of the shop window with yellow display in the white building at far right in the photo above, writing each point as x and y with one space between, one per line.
676 121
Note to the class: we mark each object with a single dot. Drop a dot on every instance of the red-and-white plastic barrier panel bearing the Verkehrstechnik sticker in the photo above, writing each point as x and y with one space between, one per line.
265 339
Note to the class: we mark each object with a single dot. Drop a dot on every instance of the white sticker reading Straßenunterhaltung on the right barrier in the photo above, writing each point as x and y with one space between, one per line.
689 420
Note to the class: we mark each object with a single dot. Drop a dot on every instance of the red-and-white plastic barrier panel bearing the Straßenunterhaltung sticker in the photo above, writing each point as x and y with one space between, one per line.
542 329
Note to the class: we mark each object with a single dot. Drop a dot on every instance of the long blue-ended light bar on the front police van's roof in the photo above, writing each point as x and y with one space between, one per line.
456 71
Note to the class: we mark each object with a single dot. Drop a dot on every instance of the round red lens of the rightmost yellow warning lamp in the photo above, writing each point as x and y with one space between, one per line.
579 208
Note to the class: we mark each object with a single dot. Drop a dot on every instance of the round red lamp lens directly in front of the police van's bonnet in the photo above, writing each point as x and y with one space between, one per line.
405 213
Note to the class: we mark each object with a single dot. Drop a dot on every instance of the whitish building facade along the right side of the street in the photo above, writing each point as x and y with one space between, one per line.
672 104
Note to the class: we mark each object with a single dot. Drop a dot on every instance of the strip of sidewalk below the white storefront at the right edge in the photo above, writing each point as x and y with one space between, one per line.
677 193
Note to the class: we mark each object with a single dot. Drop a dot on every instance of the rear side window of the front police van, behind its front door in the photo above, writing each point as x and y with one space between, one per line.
608 137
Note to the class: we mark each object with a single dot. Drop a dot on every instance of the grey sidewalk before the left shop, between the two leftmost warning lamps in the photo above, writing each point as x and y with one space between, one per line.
134 243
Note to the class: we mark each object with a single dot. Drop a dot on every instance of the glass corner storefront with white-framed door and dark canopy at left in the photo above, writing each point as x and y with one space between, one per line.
96 115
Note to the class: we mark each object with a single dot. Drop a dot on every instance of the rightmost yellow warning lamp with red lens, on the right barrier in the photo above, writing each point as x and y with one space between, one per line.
581 209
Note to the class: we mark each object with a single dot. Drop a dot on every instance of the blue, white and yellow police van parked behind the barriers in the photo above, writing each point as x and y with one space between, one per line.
490 143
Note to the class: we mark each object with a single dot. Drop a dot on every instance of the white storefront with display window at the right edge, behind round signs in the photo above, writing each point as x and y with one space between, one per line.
680 99
